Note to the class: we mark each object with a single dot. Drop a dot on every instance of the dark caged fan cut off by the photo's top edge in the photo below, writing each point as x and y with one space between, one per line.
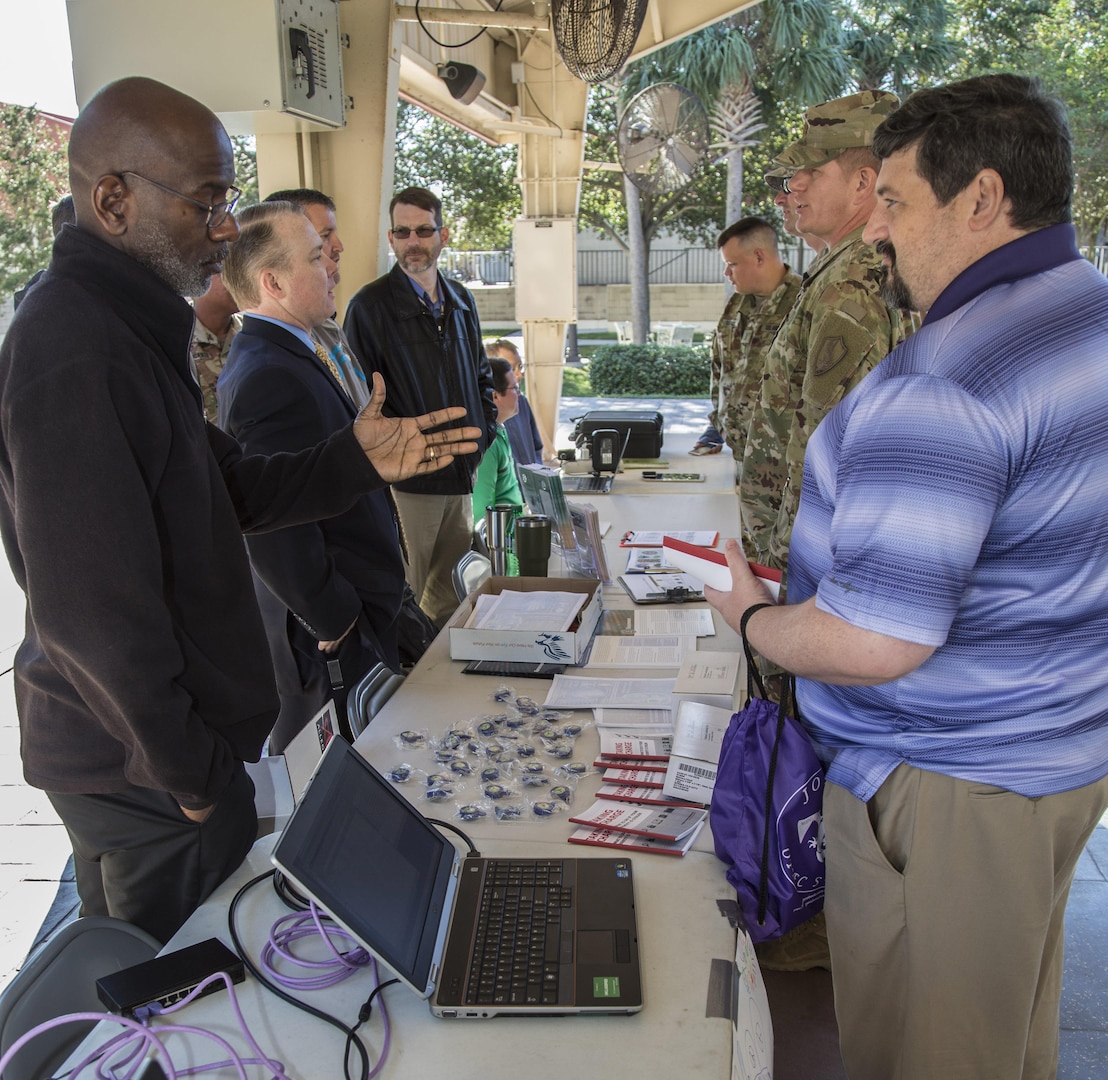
596 37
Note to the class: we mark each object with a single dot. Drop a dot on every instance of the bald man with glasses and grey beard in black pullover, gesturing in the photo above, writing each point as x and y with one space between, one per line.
145 682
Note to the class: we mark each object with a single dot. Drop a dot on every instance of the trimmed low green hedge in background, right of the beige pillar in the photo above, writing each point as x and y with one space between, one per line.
650 372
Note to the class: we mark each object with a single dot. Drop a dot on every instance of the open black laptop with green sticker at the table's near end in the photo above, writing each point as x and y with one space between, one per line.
384 872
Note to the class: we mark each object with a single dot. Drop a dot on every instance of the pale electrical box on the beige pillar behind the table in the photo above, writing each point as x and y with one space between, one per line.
546 254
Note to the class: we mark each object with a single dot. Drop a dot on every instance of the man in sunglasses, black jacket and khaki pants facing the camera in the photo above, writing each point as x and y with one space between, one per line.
423 333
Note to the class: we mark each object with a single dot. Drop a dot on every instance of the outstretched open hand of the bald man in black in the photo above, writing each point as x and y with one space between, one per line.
398 448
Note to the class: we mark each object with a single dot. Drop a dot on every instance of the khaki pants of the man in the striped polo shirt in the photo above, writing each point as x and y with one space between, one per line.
946 904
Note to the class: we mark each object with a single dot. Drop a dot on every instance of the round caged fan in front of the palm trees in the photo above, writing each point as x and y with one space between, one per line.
663 136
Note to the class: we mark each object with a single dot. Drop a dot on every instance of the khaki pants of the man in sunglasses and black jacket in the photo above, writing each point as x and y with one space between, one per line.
438 532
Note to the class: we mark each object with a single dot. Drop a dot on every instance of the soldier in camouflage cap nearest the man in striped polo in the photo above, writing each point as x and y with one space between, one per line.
840 326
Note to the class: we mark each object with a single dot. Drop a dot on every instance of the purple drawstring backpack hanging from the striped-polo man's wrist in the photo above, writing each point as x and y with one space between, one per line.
767 812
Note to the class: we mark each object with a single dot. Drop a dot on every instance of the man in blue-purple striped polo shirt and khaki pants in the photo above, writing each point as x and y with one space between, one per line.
948 589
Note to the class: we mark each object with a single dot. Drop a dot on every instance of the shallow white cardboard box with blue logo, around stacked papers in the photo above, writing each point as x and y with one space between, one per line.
535 647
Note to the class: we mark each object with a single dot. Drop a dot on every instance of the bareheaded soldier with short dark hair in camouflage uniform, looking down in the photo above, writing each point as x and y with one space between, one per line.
765 291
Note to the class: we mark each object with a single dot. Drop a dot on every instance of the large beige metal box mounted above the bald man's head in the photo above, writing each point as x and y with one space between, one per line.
263 66
